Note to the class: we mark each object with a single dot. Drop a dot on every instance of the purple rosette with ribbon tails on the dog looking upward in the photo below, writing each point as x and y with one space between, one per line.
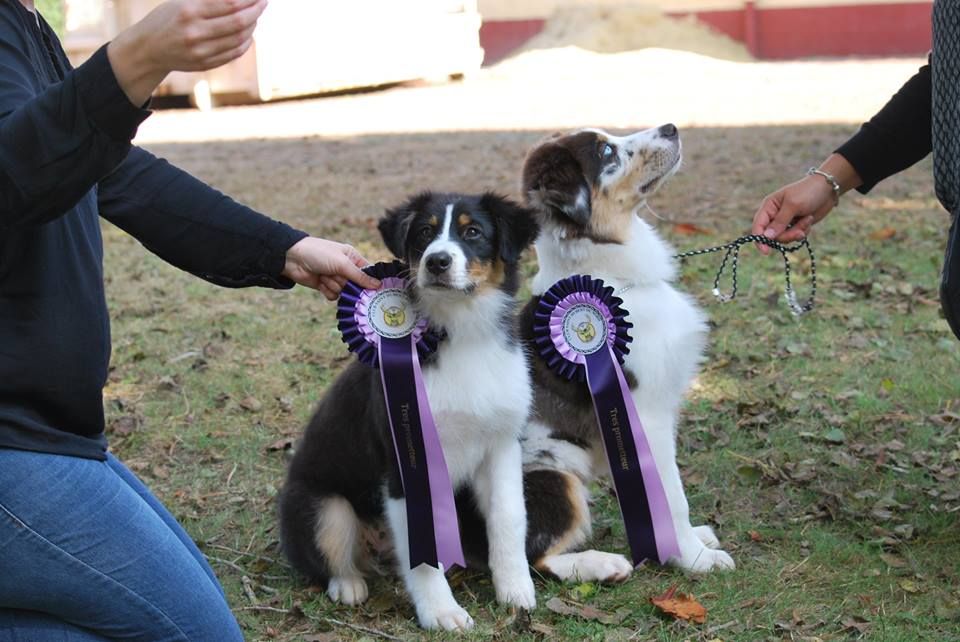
582 333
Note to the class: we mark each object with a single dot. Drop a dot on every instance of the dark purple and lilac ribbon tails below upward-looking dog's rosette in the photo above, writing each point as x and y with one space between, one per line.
643 502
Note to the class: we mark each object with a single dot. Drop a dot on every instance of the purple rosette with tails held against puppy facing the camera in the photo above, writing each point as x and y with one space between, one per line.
382 329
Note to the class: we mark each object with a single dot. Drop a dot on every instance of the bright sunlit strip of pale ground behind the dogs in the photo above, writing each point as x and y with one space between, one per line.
570 87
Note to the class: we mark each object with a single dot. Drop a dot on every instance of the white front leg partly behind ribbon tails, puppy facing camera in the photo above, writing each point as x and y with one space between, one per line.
427 586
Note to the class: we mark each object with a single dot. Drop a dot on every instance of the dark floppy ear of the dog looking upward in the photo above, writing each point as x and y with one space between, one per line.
553 181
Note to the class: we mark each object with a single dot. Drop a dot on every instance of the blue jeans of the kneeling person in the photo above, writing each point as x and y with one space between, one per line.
87 553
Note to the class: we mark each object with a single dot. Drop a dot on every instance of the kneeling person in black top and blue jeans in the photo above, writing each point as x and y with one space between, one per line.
86 552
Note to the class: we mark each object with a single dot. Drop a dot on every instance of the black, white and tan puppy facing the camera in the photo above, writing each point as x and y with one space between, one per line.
463 252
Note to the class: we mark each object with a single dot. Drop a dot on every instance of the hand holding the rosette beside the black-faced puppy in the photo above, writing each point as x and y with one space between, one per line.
326 266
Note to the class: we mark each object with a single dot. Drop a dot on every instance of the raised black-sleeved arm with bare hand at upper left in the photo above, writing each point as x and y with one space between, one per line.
58 140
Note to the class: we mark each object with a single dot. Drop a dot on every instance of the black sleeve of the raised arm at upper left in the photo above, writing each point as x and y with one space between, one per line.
57 143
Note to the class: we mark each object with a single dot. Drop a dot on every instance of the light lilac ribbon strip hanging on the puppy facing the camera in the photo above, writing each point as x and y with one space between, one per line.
445 525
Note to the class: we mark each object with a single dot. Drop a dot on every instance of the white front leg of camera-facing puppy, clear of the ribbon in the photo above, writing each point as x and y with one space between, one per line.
499 494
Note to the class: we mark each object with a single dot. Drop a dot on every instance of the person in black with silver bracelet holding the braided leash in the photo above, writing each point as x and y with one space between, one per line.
923 116
